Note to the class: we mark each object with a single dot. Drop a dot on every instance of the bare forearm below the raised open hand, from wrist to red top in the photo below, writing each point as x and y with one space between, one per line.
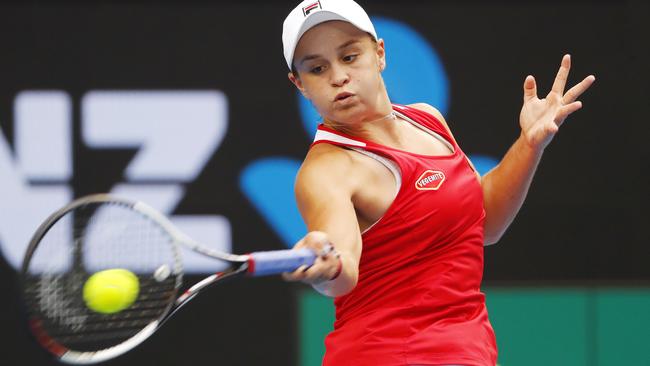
505 187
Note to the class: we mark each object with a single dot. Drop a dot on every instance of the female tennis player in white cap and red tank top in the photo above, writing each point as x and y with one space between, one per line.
390 188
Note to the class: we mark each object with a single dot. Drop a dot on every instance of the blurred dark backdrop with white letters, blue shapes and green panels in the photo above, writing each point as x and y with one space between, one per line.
186 105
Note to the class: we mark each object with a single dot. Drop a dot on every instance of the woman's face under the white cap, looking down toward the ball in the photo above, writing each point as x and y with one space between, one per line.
339 69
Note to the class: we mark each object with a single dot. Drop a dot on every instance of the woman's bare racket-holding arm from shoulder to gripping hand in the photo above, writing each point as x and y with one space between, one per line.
324 188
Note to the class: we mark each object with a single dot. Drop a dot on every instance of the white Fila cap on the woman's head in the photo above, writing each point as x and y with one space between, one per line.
310 13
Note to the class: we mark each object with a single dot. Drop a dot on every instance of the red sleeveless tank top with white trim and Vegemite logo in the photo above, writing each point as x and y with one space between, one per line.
418 298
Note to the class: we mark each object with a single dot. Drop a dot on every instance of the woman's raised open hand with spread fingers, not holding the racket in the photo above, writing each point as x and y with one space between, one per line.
540 119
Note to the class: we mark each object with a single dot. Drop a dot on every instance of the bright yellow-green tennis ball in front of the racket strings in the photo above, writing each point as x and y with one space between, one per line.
111 290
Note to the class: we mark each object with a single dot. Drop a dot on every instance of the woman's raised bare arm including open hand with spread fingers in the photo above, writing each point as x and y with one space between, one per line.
505 187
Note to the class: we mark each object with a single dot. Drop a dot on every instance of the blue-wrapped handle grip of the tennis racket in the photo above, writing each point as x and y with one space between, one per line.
278 261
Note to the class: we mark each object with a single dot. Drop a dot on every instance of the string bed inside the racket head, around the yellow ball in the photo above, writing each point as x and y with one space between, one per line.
90 239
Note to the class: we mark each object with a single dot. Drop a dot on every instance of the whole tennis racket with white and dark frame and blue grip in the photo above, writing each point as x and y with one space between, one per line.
100 232
